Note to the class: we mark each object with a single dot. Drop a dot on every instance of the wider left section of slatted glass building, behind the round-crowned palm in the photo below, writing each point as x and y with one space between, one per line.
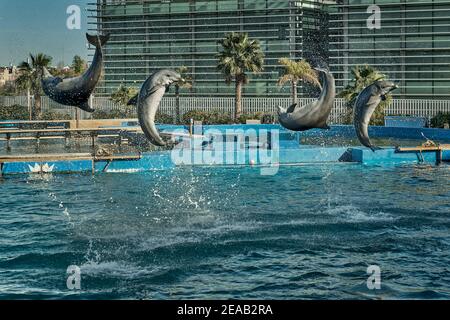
152 34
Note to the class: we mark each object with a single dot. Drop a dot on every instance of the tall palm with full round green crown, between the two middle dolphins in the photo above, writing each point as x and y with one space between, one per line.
239 56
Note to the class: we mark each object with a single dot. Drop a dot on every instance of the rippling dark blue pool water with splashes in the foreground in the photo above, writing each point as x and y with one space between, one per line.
306 233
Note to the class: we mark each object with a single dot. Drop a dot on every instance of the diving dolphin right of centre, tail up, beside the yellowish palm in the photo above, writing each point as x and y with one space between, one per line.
315 114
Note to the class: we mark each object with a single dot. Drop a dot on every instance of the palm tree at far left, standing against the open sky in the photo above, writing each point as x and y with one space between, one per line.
30 79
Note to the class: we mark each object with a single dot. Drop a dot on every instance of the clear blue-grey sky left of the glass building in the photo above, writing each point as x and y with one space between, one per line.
34 26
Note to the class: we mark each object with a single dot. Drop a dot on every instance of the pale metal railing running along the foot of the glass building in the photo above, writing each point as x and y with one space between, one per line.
407 107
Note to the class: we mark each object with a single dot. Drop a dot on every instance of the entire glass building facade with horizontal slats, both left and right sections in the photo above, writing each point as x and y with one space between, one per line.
411 45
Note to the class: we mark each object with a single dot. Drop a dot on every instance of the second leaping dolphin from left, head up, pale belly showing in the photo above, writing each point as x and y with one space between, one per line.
150 96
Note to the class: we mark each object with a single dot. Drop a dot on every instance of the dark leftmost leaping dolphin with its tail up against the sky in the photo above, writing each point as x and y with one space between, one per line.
76 91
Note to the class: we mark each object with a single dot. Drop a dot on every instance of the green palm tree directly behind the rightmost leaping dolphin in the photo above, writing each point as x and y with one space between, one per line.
364 76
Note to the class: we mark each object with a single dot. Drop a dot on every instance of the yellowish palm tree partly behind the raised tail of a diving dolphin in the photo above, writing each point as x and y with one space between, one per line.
296 71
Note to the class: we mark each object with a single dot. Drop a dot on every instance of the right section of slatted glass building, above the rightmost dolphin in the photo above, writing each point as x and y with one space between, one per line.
412 45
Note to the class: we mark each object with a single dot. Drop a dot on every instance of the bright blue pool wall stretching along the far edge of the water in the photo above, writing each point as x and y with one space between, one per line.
290 152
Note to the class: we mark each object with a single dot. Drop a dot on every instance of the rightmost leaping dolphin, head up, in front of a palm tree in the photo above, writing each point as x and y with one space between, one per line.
366 103
